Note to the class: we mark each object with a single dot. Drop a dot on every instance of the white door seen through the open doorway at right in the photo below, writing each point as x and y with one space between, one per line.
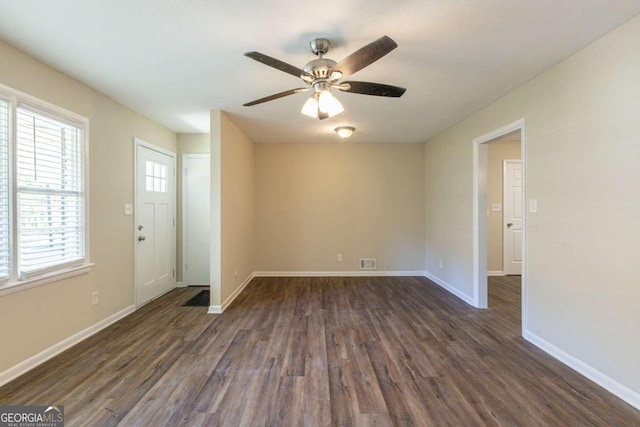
512 217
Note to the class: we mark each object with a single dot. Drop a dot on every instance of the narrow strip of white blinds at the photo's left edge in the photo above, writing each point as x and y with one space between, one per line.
5 235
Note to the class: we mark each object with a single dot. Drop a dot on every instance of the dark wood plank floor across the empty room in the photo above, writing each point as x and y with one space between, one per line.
316 352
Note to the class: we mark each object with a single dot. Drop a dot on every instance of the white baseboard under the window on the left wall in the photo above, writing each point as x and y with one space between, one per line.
27 365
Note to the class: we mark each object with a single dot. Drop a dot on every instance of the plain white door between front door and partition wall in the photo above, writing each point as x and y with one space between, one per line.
195 218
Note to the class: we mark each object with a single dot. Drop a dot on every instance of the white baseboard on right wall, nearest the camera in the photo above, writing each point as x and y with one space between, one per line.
623 392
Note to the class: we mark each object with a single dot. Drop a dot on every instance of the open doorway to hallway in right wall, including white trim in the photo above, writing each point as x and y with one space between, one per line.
499 215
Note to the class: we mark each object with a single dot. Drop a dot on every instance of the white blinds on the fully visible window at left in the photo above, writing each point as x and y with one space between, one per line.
50 194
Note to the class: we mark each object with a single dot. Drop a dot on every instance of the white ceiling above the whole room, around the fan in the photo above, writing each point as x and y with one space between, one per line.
174 60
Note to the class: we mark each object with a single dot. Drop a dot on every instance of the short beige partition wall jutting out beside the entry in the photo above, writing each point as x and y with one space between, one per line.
232 220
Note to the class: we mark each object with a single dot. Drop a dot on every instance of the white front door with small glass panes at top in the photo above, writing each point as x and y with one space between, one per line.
154 227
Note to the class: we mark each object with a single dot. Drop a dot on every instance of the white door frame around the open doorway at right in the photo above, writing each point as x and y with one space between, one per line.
480 291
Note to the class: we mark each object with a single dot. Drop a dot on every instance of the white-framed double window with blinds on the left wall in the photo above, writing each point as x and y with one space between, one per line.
42 189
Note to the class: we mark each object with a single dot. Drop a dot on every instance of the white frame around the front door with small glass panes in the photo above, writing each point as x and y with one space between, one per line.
137 142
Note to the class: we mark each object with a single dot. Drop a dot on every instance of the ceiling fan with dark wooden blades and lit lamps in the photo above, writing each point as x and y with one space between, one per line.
323 74
